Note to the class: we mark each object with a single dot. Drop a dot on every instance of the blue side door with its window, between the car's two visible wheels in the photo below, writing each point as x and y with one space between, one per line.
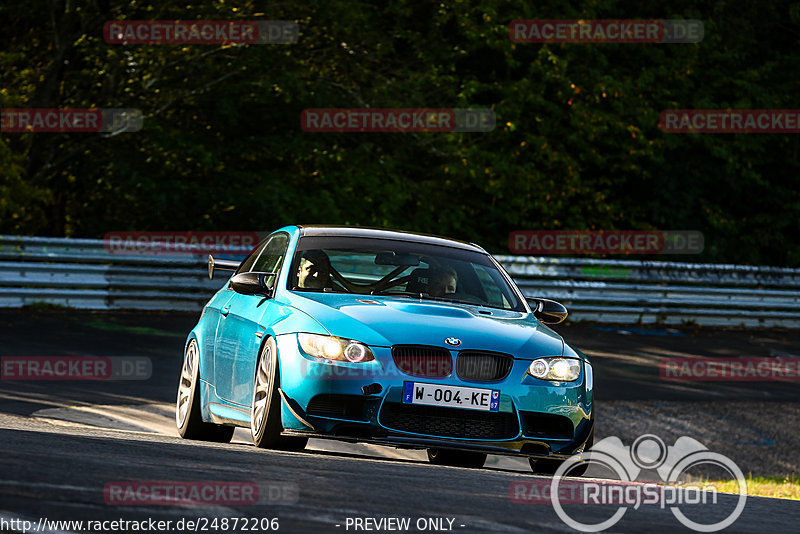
239 335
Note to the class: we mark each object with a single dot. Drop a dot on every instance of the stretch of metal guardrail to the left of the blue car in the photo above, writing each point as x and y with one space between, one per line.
81 273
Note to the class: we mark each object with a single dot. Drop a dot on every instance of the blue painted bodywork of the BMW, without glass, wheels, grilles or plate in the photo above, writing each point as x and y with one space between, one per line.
364 401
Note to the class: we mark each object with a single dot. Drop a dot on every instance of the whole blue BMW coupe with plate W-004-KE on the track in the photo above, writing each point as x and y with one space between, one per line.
387 337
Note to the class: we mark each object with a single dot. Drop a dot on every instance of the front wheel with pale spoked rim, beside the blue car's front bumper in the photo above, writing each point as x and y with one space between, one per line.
265 409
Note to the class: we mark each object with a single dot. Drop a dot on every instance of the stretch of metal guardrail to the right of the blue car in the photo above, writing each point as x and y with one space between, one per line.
627 291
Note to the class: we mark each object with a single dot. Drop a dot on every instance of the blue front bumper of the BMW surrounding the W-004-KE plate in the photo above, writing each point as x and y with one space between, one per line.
535 418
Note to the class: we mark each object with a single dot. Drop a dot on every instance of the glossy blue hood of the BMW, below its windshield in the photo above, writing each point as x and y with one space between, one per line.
386 321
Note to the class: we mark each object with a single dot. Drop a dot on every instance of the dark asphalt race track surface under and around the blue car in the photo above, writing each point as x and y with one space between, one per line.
54 468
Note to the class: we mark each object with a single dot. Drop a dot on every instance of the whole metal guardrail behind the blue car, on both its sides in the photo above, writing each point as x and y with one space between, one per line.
81 273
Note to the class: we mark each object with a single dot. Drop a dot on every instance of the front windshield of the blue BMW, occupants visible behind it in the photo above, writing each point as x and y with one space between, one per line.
387 267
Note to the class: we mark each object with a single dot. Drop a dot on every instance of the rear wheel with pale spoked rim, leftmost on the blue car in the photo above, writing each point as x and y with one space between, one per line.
188 418
